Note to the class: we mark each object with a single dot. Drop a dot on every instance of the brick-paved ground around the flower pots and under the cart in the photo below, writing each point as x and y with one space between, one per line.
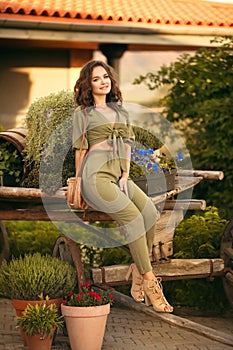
126 329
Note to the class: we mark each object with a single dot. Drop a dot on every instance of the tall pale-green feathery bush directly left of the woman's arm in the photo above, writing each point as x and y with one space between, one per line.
48 115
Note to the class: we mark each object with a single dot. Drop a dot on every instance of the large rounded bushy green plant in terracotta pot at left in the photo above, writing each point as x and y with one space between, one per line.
27 279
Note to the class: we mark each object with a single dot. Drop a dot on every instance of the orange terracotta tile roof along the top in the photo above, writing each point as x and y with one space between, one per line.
170 12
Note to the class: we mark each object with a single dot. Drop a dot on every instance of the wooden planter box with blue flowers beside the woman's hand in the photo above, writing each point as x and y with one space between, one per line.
153 171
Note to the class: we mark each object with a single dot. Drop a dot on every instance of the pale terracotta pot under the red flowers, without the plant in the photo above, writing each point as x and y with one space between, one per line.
85 325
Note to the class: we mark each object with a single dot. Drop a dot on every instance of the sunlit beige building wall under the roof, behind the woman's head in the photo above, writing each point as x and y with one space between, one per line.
26 75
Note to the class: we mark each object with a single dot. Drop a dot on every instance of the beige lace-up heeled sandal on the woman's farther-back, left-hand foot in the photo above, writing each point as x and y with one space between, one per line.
137 283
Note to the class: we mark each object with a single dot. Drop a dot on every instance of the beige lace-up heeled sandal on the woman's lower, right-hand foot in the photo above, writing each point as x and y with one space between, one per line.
154 295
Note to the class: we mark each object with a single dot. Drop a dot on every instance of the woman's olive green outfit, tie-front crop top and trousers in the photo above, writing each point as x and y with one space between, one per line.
102 169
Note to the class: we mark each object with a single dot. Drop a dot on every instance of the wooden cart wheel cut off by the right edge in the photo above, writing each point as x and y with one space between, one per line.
226 253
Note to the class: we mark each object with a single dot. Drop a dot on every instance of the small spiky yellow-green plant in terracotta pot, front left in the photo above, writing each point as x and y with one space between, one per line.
39 323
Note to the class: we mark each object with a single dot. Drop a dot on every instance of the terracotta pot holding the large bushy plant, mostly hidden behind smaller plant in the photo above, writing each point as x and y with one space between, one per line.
20 306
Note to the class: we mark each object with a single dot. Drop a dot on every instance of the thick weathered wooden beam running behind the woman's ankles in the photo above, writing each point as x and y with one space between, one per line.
177 268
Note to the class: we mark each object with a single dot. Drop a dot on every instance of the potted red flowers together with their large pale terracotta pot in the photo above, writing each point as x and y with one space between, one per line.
85 315
